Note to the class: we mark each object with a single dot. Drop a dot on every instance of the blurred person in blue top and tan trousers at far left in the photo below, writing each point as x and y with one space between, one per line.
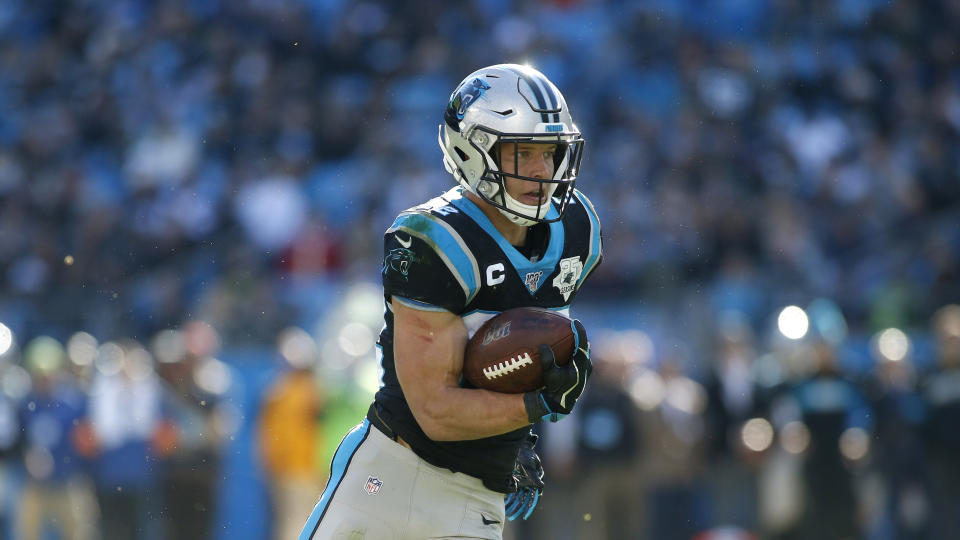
58 492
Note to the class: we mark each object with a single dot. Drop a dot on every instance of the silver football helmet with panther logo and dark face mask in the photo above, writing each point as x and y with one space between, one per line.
510 104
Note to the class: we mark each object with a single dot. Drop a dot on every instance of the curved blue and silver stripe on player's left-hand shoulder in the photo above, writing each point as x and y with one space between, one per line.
448 245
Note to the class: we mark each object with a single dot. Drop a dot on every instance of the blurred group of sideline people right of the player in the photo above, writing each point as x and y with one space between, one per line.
777 439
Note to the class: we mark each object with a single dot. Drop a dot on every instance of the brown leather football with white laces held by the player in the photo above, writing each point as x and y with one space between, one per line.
502 355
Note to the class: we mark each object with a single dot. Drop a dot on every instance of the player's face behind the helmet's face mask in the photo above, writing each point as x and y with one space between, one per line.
533 160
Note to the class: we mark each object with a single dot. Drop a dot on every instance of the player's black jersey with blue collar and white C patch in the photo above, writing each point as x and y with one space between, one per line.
446 254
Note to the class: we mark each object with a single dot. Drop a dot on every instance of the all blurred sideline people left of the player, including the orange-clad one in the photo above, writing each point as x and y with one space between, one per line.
172 438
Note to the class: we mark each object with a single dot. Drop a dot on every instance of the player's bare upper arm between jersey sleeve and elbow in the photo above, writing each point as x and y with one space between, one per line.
428 353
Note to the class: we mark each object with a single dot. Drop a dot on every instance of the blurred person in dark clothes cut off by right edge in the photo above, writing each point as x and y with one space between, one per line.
941 393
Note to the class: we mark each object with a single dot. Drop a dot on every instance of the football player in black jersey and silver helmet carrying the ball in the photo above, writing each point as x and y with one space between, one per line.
435 457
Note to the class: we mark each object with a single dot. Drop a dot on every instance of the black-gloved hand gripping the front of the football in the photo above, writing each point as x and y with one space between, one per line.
562 384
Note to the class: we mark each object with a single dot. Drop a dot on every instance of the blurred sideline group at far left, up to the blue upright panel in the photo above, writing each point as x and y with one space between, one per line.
101 441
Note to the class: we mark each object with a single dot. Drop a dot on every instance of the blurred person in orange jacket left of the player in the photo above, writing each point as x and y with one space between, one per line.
290 435
